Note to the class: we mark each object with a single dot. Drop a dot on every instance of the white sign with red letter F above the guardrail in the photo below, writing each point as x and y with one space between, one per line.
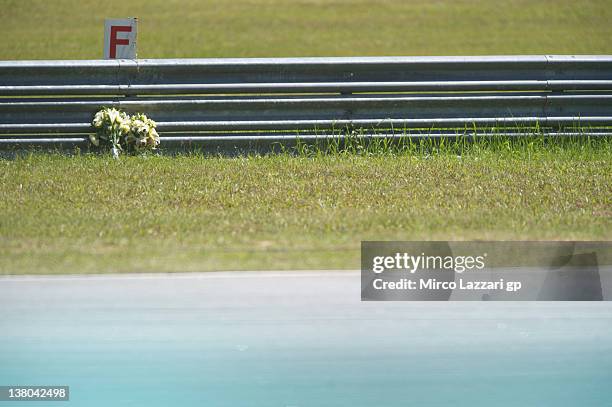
120 38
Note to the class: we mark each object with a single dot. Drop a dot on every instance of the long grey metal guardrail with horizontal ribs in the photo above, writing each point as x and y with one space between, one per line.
199 100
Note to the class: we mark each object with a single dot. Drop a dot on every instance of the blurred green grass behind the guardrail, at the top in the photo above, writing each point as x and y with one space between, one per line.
64 29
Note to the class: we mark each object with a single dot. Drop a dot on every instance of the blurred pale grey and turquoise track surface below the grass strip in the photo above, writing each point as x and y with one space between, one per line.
294 339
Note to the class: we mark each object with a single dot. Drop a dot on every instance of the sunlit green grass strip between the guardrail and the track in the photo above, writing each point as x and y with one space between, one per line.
89 213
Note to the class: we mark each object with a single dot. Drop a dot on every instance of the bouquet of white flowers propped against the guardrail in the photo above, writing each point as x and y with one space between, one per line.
124 133
